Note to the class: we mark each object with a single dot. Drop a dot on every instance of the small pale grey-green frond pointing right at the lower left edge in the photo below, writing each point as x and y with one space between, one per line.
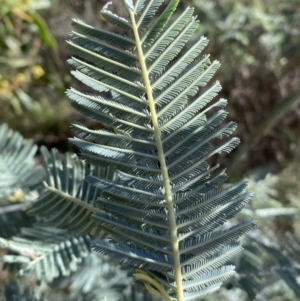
54 252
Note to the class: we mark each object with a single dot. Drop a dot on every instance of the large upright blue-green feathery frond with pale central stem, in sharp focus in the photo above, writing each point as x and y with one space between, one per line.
163 209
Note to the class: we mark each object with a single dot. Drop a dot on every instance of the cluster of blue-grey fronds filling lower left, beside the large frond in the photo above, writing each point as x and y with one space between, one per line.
51 255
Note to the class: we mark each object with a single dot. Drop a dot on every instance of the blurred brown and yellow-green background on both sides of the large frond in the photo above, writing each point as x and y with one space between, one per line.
258 45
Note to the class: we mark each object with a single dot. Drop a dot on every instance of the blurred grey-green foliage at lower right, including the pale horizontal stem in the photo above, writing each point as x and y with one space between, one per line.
269 265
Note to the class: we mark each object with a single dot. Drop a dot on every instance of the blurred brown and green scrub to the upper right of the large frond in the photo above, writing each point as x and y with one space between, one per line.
257 43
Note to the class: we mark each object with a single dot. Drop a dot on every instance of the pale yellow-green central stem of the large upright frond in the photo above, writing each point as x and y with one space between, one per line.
162 161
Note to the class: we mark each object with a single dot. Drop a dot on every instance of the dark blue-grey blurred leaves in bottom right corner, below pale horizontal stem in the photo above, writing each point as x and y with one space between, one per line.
262 268
